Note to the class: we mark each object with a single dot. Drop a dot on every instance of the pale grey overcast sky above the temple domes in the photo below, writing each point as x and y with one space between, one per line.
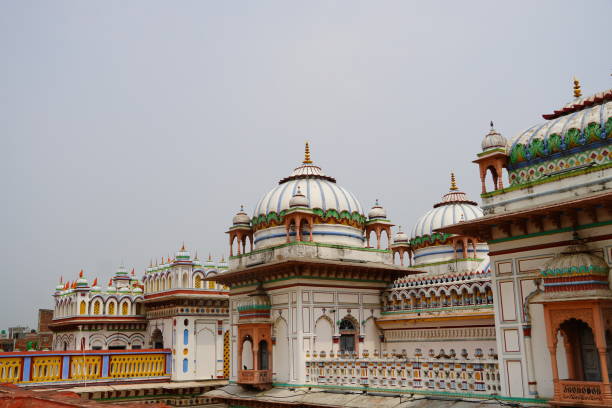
128 127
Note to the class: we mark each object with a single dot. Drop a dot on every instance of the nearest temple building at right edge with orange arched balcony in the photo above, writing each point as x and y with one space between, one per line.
548 228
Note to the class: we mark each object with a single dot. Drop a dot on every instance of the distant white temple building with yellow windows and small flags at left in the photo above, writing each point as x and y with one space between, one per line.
178 305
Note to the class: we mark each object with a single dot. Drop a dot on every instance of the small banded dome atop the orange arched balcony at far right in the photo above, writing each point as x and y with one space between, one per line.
576 268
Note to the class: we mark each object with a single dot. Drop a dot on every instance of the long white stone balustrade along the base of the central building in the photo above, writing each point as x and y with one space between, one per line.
451 375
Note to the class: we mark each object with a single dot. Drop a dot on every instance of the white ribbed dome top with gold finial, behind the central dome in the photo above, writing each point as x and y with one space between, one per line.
454 207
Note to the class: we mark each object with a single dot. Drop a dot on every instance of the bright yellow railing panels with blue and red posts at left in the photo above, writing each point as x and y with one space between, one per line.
45 367
